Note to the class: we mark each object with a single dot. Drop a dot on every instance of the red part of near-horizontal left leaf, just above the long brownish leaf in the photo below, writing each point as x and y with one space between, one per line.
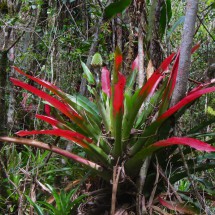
70 135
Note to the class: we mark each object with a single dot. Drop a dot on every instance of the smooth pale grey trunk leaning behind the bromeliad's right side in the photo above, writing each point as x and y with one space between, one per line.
185 51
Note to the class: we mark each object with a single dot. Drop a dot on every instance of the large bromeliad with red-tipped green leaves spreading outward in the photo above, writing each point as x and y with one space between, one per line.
111 129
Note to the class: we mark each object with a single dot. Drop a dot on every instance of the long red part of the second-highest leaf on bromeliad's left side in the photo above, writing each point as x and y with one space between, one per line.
59 105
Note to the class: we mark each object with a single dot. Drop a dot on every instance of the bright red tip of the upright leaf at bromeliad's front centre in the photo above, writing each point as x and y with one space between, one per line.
119 94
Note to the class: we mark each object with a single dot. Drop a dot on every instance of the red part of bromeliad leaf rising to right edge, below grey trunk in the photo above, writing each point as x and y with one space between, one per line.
188 99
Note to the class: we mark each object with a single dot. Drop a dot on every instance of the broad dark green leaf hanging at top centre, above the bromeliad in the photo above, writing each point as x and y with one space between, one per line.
117 7
